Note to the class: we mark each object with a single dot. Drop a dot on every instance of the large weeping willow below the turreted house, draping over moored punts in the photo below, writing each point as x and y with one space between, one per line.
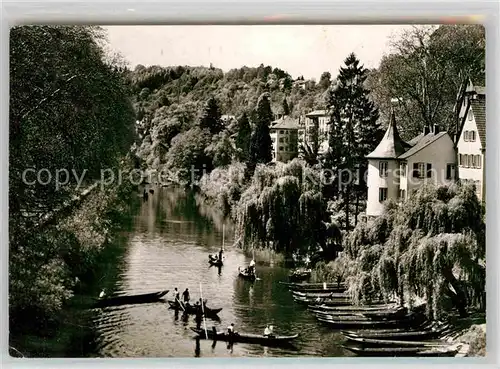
430 248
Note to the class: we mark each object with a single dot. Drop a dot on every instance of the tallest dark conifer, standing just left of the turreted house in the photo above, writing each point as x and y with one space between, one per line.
354 130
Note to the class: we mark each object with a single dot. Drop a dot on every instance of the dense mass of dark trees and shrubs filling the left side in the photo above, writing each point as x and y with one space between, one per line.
69 110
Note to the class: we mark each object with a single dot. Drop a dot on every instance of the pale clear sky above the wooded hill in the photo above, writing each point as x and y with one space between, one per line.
306 50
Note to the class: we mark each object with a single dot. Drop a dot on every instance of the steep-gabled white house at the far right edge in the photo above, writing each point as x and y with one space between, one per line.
471 139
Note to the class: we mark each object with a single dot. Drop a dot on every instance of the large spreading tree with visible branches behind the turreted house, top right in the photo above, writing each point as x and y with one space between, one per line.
427 73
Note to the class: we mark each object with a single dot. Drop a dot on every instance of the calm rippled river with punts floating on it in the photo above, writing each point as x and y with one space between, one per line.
168 247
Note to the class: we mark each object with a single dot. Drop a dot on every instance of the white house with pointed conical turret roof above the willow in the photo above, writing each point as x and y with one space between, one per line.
396 167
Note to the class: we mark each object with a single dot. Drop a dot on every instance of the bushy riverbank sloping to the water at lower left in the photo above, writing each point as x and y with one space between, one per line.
87 255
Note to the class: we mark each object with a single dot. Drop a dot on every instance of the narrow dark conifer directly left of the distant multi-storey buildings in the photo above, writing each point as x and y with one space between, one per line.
260 142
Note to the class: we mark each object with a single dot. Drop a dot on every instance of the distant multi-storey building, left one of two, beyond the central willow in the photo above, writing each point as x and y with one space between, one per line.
284 136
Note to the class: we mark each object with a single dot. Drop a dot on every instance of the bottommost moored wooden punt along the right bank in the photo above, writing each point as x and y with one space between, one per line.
448 350
